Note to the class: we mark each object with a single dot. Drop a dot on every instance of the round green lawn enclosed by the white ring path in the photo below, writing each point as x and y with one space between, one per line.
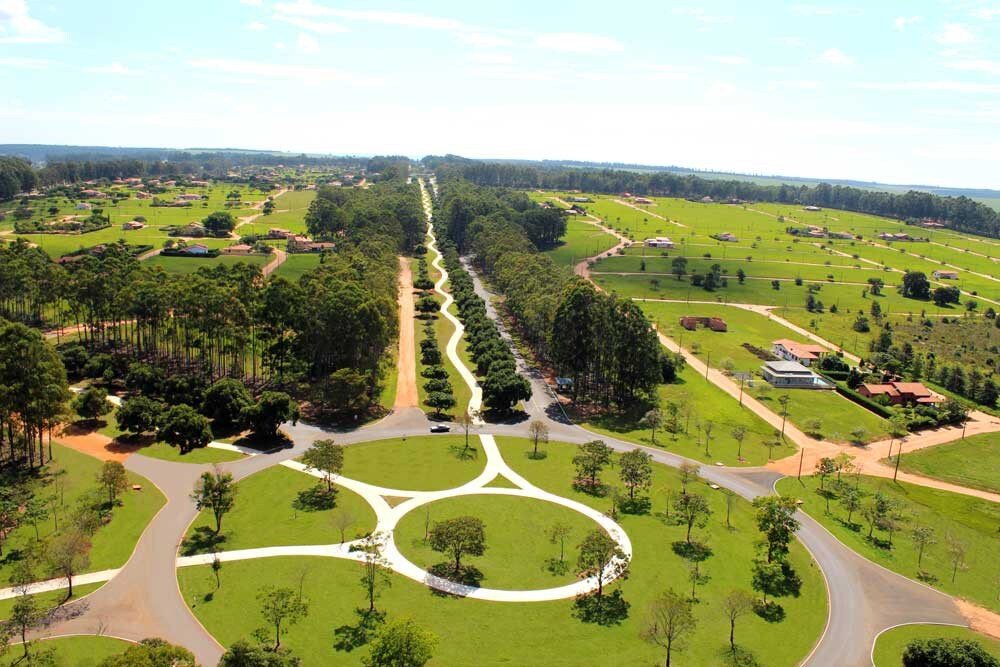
518 549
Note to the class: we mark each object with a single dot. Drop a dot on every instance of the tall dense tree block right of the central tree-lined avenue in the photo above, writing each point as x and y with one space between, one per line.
605 343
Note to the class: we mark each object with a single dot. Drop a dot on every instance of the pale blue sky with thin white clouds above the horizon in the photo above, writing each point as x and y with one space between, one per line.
892 91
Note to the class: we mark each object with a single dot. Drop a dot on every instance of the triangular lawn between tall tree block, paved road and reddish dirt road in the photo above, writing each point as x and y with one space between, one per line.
699 401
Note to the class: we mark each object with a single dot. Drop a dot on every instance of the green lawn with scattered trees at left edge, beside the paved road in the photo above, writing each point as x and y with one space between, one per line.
113 543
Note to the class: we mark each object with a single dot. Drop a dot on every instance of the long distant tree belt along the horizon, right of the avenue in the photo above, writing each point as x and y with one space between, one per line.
960 213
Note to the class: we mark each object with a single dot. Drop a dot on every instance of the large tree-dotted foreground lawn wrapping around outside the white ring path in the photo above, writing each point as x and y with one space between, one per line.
485 630
